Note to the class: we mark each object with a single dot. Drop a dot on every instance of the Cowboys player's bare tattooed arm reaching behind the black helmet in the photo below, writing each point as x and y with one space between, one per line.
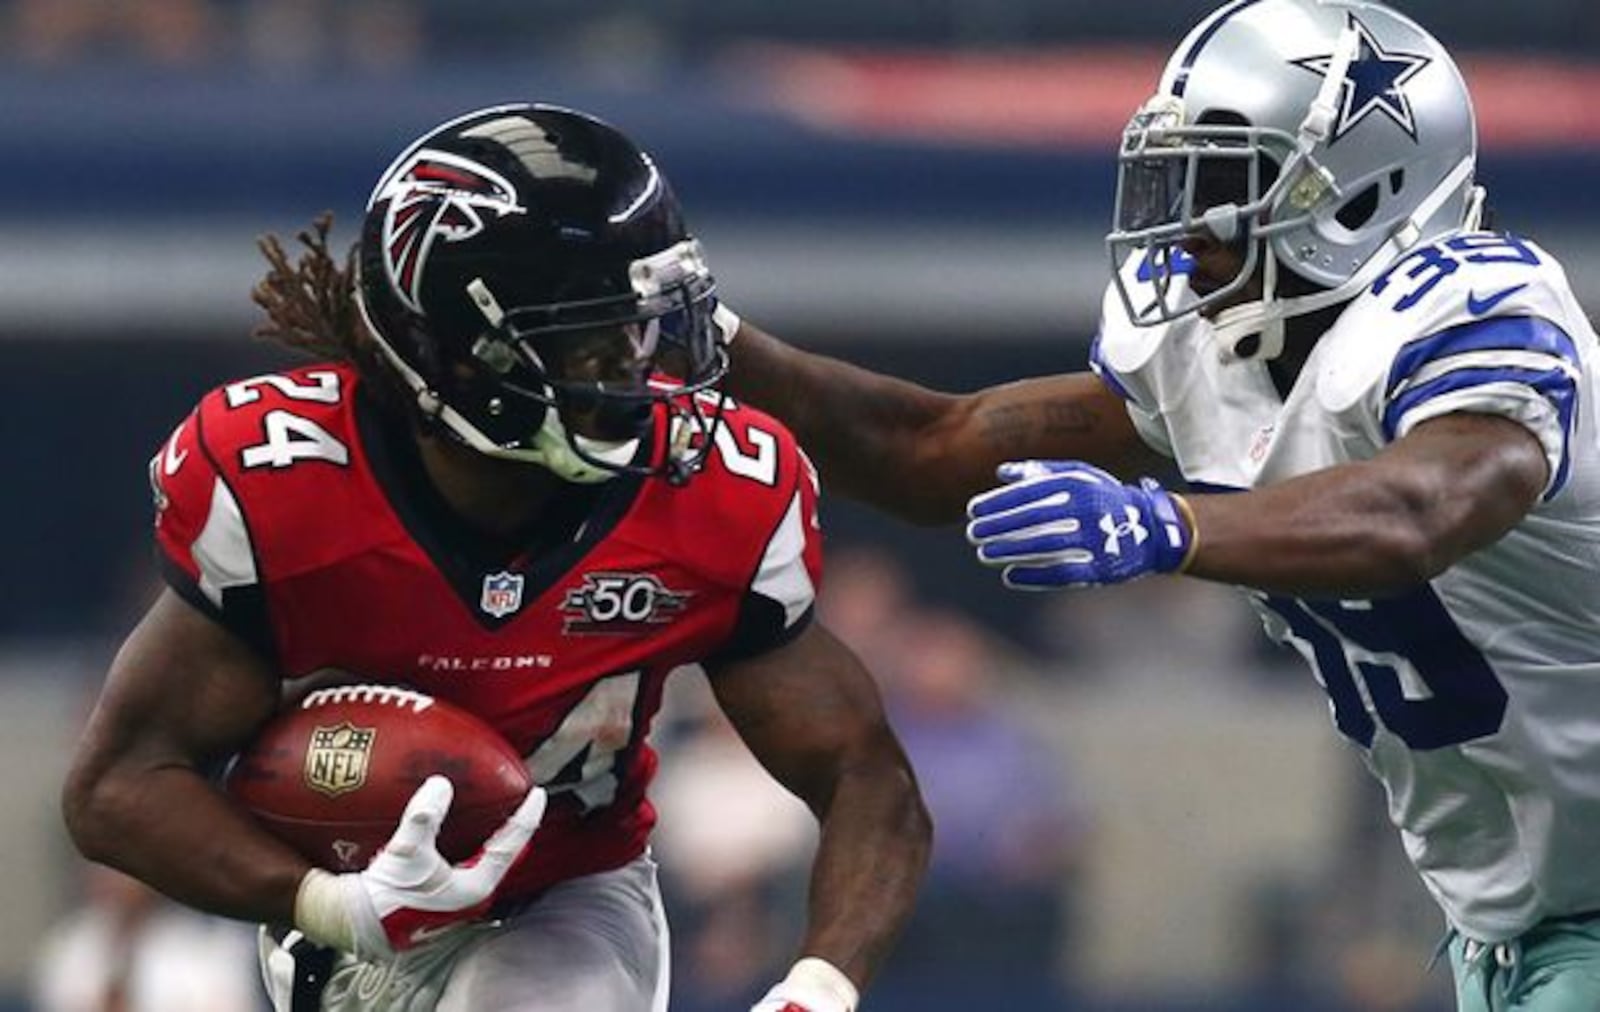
921 454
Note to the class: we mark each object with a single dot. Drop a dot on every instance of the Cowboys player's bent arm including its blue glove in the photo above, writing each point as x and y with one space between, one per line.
1364 529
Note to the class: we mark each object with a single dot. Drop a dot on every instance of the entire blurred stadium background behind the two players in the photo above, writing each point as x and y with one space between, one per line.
1140 808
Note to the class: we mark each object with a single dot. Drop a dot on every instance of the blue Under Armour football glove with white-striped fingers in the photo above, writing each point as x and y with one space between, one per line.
1063 524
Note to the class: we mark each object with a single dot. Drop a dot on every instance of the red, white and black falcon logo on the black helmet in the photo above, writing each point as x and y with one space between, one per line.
436 196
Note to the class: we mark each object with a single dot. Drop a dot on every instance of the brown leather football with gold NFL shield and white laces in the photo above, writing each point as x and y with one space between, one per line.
332 776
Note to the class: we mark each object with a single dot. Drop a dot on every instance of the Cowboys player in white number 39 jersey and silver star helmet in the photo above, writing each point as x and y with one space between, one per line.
1385 420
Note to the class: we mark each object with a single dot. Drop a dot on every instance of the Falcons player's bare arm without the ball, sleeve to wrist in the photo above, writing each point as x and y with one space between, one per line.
812 717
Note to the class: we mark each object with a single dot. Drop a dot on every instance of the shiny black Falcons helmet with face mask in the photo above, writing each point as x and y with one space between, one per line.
527 273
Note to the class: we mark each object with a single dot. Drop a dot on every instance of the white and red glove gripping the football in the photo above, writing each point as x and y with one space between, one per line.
410 893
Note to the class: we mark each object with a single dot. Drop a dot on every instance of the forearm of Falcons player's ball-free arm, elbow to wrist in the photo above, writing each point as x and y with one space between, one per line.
870 862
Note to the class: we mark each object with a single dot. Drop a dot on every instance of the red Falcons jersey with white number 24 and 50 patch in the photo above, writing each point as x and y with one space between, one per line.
295 515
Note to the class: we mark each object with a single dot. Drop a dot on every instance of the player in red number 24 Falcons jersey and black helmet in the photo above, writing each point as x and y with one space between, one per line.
514 486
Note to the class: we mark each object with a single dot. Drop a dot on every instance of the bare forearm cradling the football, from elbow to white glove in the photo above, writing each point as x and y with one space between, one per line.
174 830
